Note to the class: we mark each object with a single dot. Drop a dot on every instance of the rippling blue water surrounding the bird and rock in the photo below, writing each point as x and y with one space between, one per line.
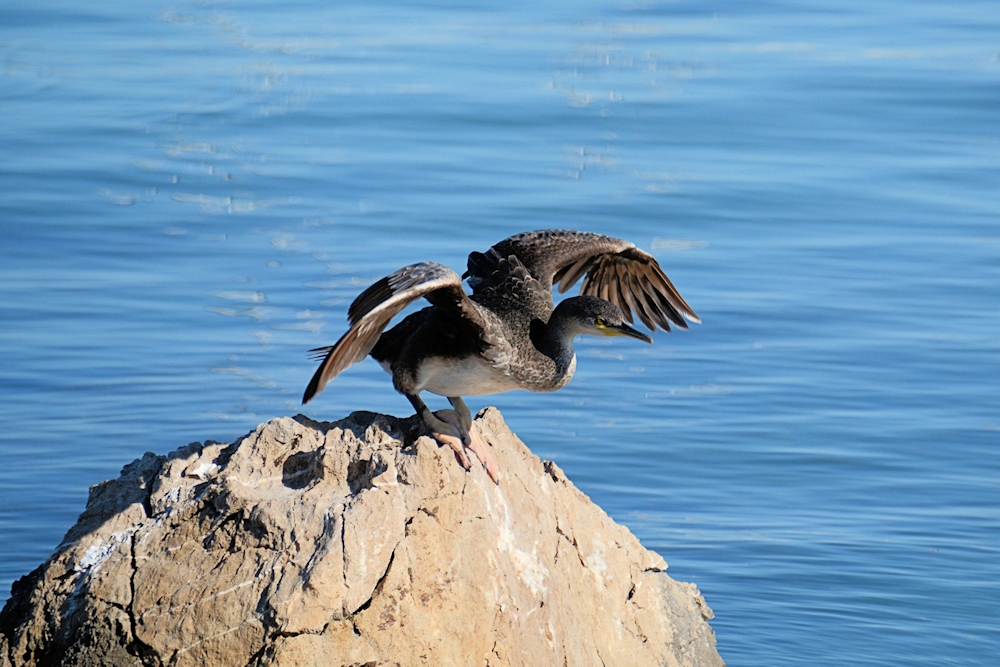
192 193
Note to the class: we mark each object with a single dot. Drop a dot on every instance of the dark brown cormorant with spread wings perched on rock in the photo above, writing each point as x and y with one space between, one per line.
508 333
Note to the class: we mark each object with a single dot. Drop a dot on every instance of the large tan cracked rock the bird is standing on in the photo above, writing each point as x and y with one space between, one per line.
350 543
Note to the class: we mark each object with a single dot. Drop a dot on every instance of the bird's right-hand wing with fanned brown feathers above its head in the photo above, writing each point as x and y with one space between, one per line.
613 269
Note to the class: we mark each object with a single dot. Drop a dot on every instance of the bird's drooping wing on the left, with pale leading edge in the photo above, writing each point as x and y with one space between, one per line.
372 311
